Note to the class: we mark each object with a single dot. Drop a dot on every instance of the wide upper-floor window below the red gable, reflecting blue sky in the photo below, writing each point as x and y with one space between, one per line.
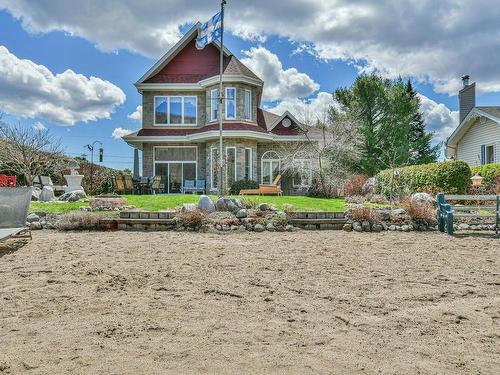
175 110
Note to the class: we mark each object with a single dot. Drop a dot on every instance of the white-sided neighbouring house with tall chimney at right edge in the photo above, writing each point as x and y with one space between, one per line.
476 140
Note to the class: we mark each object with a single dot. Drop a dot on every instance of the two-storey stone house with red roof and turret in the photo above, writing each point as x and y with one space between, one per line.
179 138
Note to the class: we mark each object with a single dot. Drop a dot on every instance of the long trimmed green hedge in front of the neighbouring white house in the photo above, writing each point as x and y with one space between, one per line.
451 177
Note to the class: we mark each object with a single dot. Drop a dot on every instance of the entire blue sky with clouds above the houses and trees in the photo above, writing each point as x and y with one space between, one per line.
70 66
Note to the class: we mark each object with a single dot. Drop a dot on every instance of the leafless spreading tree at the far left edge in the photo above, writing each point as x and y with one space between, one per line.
27 151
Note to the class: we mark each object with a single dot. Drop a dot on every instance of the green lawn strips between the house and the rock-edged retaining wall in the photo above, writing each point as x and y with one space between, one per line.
165 202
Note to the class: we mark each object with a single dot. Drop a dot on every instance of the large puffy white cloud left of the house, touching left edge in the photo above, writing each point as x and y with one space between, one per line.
31 90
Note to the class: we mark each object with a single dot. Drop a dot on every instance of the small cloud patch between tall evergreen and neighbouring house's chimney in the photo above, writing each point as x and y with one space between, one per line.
438 118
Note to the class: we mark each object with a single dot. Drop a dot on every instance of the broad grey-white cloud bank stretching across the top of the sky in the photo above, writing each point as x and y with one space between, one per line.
431 41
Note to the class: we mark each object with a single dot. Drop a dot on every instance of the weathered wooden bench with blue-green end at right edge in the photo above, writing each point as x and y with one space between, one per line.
446 211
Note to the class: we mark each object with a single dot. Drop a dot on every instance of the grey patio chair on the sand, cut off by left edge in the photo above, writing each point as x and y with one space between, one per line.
14 206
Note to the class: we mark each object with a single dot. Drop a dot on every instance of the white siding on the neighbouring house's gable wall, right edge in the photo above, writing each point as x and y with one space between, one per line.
483 132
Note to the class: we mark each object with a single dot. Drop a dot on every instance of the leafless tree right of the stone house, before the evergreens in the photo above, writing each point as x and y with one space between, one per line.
329 151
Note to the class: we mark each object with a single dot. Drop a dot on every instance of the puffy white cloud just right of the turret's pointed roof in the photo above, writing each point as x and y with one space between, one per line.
279 83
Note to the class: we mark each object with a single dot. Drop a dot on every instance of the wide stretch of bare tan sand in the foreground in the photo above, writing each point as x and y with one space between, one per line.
306 302
